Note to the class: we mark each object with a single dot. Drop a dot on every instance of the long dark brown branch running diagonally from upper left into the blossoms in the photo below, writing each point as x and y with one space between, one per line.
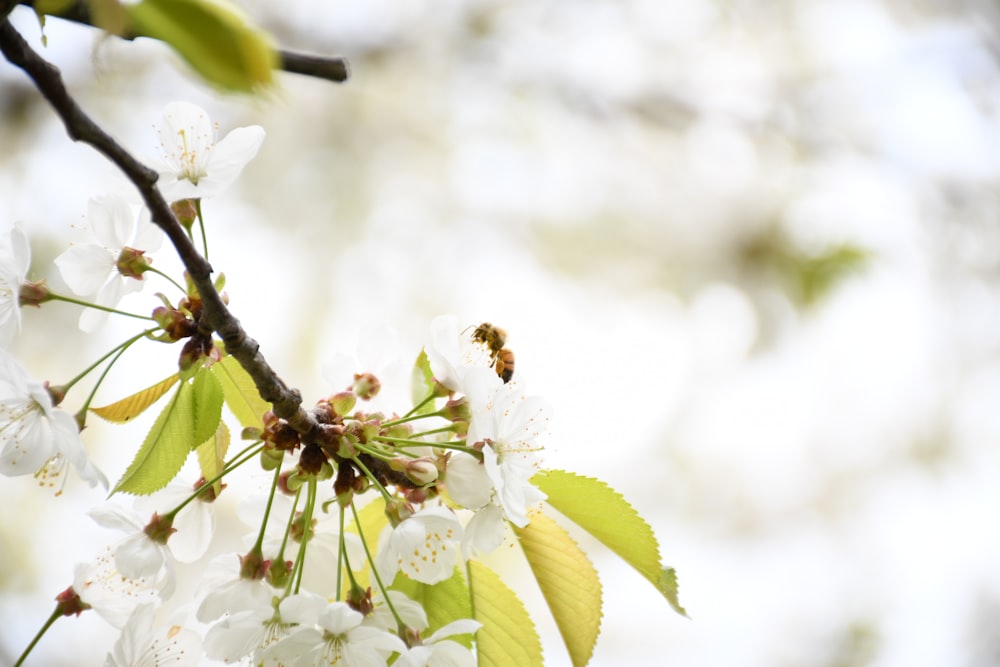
287 402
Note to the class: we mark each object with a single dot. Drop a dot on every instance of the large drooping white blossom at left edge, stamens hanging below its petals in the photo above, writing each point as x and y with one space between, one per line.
35 436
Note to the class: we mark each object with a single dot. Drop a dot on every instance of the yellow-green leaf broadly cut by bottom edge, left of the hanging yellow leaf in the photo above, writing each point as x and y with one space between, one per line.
508 637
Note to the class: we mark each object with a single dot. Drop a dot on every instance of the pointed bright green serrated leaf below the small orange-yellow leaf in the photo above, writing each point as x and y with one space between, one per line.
165 448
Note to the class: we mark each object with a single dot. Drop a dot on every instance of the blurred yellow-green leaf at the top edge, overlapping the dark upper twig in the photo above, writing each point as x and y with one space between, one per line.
212 37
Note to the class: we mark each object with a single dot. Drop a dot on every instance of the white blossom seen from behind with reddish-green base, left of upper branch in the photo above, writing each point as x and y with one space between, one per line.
111 267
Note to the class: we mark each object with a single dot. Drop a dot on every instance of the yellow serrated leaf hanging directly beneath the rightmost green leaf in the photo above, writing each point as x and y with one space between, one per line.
568 582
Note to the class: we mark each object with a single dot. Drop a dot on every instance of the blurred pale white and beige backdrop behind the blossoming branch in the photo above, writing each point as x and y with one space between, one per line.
749 251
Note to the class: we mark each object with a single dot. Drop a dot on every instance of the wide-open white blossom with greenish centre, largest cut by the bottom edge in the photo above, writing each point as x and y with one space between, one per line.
331 634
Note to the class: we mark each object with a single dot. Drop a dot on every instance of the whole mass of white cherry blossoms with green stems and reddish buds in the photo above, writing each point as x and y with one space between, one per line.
446 476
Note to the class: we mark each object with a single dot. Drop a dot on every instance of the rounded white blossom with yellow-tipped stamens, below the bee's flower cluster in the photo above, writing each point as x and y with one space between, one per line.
423 546
